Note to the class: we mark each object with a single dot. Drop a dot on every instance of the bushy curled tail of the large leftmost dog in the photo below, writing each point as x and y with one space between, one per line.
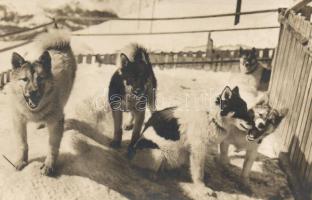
54 40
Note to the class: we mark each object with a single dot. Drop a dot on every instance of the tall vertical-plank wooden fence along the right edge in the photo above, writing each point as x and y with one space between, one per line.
291 87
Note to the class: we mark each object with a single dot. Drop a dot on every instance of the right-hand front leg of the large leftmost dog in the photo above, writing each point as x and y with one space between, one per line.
56 129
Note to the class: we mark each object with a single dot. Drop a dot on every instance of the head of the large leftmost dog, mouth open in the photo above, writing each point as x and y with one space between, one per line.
33 78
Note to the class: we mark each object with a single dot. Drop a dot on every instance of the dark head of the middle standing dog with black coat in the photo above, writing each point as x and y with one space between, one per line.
135 73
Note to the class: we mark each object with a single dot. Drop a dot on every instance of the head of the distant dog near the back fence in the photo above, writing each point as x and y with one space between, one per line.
248 60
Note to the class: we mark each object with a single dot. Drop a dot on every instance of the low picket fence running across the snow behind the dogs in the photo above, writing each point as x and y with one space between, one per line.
216 60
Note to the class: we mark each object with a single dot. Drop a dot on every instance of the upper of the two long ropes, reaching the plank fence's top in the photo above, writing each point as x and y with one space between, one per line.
168 18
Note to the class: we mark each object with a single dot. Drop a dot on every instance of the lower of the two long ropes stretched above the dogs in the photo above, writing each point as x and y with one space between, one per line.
176 32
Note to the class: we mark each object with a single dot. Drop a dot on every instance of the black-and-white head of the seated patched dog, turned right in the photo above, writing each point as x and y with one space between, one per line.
233 107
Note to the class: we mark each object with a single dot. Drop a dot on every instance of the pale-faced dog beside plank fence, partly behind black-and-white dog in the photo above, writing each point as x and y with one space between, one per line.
266 120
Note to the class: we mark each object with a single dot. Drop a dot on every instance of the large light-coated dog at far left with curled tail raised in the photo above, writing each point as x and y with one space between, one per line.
38 92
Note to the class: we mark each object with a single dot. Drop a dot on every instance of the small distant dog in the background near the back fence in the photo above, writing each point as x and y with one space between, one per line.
250 66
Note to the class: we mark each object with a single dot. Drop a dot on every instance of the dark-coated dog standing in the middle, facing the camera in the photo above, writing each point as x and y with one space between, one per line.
131 88
